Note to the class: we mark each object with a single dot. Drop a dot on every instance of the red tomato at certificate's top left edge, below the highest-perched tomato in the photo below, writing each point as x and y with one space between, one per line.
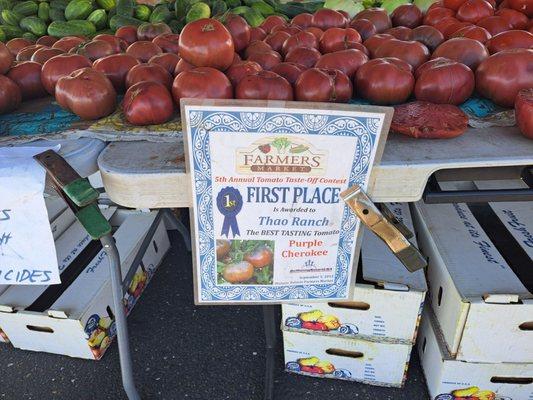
202 83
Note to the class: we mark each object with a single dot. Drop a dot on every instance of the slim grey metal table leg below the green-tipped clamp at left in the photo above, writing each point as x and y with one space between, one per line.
126 365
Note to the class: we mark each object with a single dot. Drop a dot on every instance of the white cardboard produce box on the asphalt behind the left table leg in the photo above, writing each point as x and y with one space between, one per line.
80 321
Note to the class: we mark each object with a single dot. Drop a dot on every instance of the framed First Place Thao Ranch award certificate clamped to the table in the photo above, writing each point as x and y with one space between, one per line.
268 222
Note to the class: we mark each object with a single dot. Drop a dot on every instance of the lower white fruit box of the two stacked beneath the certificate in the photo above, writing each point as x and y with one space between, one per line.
381 364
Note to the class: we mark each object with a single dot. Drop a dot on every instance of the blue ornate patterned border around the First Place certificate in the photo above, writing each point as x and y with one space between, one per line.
365 128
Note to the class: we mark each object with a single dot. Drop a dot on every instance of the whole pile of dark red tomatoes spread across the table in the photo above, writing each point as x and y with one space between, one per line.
443 56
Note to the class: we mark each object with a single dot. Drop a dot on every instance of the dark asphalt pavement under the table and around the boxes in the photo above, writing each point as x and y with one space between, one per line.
181 352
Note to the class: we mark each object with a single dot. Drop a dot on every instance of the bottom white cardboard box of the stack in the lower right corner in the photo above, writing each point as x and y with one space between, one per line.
449 379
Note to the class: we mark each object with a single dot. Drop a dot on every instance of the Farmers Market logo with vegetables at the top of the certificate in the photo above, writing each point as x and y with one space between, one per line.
281 154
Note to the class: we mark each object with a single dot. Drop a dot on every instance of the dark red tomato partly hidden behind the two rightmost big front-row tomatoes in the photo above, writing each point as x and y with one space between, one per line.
467 51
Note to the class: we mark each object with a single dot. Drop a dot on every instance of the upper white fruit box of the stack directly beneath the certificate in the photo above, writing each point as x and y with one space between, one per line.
385 308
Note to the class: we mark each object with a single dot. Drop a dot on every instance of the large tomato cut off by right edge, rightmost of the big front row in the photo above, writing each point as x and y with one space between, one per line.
501 76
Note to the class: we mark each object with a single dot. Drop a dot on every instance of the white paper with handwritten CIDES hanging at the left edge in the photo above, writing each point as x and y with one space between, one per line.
27 251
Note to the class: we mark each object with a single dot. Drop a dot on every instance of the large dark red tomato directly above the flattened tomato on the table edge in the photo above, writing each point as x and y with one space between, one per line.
444 82
